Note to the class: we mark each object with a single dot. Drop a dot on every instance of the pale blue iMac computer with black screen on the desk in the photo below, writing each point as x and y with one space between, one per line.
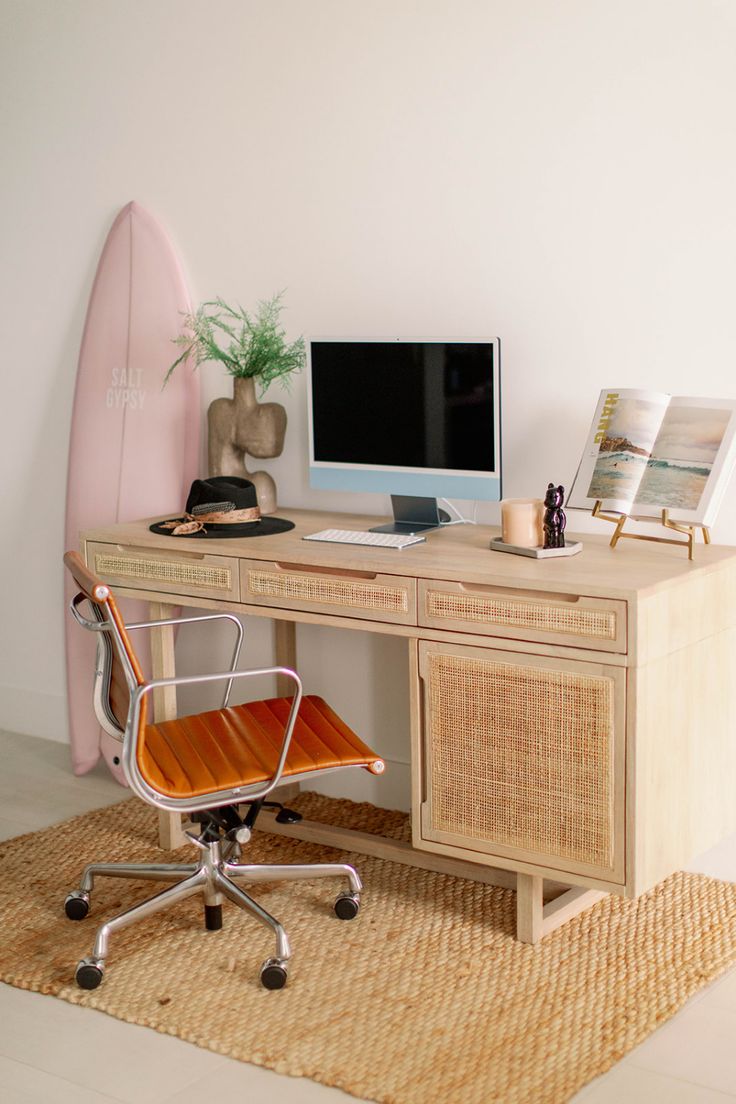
415 420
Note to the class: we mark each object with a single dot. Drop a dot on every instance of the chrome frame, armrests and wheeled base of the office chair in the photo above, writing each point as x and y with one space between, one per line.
215 873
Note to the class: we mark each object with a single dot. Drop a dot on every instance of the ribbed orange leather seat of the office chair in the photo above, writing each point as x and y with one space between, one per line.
240 746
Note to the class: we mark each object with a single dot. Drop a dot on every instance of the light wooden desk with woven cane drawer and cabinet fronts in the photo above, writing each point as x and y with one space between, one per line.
572 719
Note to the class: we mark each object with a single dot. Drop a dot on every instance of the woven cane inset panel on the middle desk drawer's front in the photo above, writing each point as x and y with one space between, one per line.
330 590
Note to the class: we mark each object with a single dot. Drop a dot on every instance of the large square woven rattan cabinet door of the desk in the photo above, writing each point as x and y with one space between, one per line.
524 758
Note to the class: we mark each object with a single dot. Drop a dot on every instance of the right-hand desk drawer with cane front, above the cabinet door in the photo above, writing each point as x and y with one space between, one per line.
572 620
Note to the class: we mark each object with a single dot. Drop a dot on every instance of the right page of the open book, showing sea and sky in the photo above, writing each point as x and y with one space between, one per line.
691 461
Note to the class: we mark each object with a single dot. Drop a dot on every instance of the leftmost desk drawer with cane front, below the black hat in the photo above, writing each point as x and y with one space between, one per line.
211 577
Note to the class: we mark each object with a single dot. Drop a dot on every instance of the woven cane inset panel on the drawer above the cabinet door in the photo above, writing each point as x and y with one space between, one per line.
596 624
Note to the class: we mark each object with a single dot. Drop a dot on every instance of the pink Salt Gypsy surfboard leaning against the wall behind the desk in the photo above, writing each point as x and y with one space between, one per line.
135 448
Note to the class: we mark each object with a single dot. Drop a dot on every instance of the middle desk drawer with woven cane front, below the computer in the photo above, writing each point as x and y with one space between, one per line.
330 591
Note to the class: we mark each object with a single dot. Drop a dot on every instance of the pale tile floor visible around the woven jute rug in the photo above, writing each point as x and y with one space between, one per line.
55 1053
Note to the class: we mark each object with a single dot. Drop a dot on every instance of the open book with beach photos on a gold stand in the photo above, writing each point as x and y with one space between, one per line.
648 452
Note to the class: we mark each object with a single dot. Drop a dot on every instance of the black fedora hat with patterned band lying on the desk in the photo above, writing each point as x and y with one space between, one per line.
223 506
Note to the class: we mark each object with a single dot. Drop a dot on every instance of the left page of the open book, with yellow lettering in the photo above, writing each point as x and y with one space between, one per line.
621 441
